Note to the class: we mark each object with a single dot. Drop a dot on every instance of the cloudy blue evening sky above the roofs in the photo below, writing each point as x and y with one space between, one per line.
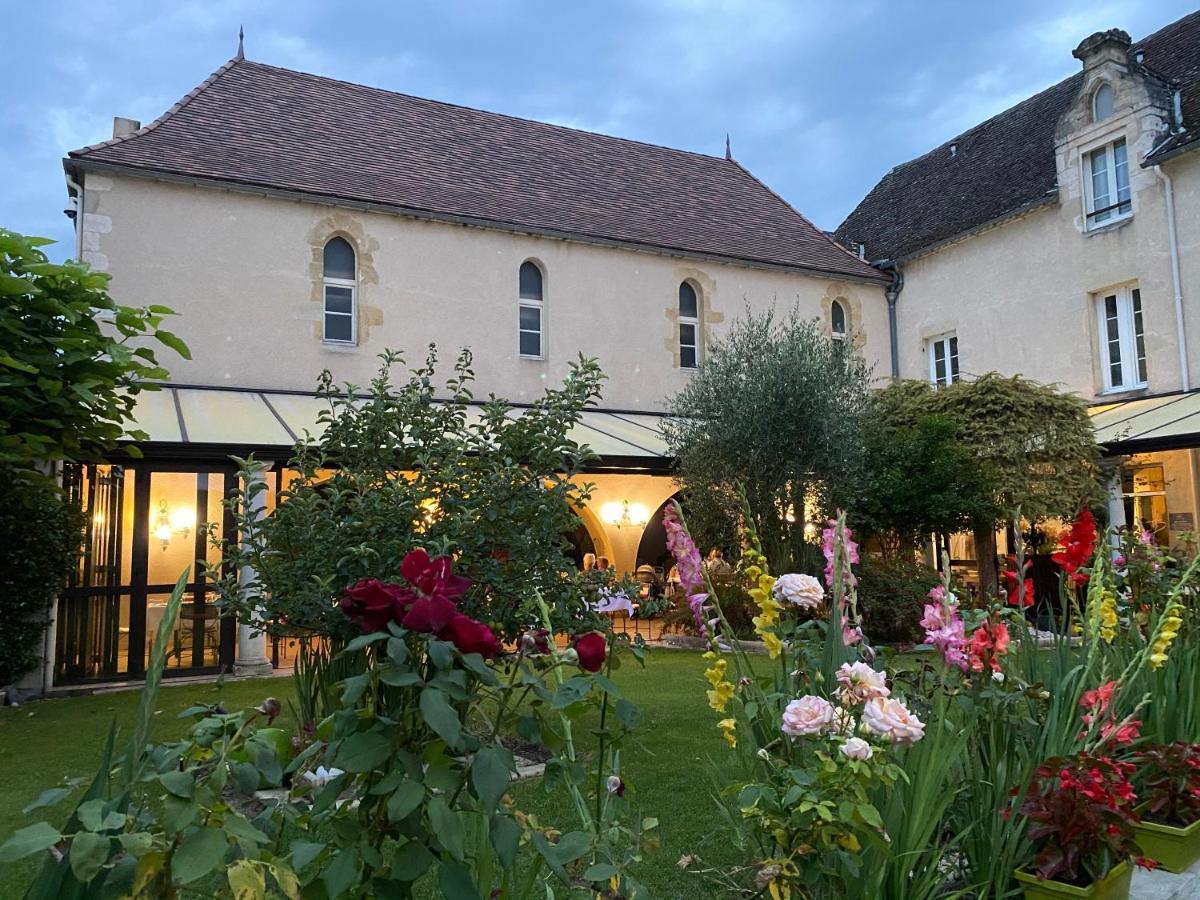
820 99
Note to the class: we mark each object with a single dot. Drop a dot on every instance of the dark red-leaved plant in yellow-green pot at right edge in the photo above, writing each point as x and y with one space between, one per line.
1171 829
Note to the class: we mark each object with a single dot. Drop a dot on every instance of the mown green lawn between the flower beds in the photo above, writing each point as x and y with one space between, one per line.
670 777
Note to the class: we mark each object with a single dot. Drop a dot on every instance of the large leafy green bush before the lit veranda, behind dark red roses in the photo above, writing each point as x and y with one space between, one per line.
397 471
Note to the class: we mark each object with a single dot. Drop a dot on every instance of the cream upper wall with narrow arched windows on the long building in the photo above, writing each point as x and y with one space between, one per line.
244 274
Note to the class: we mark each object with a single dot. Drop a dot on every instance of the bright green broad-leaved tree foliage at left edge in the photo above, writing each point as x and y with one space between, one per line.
73 361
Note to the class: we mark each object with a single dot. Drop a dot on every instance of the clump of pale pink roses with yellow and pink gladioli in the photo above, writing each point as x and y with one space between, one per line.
815 730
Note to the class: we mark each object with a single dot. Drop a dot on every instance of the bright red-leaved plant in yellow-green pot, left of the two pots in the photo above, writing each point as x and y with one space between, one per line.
1082 819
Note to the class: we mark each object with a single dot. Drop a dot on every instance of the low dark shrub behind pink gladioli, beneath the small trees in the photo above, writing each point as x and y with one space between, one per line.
891 598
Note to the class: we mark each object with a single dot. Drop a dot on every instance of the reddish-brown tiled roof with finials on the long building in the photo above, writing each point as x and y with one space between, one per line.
260 125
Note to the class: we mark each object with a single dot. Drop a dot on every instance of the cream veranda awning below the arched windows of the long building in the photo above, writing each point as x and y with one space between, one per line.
213 418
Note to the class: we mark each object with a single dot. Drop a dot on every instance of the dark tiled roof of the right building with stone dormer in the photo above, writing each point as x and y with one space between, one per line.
1007 164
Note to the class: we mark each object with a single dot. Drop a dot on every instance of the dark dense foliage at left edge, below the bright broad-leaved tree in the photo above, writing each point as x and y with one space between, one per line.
39 544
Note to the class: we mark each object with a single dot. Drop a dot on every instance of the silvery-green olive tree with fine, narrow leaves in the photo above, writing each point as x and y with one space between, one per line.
777 409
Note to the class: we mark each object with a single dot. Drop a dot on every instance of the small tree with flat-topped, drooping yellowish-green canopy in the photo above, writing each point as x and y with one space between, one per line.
1034 445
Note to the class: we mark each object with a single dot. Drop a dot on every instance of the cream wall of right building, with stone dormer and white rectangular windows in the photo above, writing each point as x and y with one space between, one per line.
1019 296
